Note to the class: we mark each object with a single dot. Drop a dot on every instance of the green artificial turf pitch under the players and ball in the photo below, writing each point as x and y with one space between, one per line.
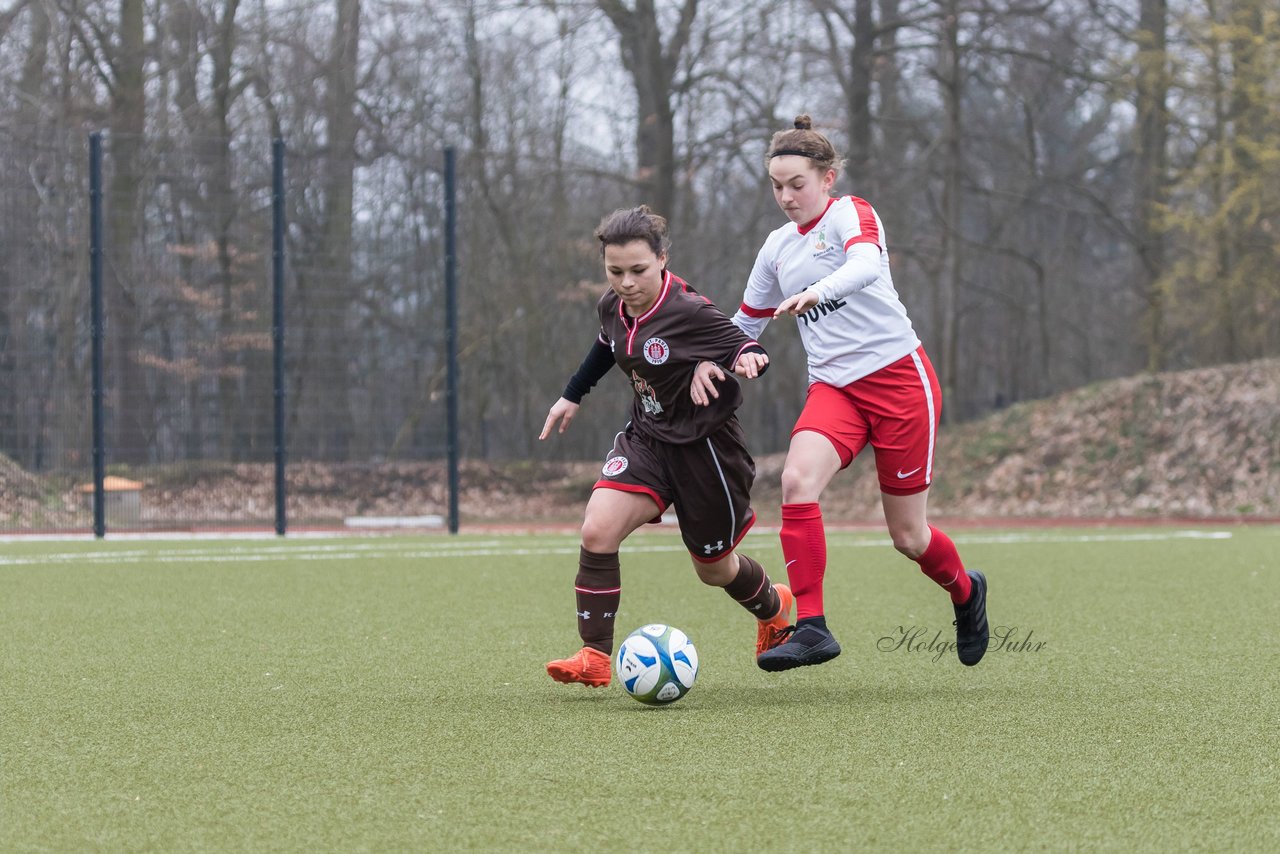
388 695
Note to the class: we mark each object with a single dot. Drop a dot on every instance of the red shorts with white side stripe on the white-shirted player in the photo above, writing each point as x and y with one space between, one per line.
897 409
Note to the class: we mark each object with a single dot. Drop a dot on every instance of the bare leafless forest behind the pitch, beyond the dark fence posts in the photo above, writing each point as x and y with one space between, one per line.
1072 191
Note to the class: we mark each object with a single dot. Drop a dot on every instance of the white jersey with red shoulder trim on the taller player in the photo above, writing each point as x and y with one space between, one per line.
860 326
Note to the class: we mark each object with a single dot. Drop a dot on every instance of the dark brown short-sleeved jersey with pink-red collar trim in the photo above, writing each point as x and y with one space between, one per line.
659 353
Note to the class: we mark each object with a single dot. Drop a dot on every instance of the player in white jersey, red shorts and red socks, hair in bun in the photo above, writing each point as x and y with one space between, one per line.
870 382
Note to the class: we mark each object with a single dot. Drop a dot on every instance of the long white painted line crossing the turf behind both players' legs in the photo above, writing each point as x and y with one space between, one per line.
499 549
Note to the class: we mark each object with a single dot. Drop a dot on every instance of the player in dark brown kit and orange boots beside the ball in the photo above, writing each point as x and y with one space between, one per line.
674 453
